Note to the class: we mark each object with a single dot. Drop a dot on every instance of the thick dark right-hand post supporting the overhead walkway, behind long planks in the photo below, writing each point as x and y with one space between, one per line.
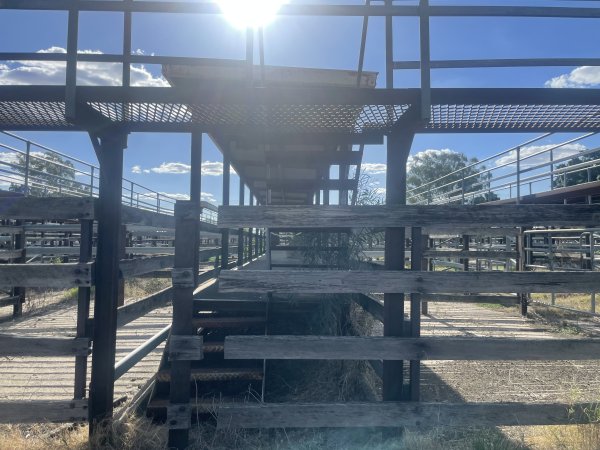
398 148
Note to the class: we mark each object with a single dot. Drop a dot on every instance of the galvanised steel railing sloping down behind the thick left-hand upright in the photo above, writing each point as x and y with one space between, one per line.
73 177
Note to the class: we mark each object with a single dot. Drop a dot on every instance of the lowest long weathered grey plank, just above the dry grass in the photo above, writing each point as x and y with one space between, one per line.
392 414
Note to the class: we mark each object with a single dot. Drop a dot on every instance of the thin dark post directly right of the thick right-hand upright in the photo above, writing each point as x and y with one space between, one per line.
416 260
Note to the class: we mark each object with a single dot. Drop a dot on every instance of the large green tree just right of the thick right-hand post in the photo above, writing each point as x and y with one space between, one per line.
440 175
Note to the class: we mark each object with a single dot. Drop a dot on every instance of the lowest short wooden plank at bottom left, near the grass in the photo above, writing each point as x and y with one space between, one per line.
36 411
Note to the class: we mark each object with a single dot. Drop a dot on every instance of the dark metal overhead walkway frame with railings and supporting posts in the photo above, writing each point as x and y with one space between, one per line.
340 116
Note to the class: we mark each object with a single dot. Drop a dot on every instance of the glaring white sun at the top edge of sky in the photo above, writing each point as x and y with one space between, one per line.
250 13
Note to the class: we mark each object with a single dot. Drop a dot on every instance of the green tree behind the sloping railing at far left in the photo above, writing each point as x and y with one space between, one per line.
49 175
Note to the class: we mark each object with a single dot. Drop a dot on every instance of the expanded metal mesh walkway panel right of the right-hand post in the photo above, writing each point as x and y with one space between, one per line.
503 117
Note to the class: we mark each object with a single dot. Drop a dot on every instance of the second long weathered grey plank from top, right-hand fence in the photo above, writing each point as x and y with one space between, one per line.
317 281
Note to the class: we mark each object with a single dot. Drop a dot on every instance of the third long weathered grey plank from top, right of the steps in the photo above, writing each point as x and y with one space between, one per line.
394 348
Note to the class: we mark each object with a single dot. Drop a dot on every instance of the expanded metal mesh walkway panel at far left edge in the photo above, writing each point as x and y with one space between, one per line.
33 114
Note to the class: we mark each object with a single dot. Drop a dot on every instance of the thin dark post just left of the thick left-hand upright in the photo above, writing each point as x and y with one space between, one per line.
83 307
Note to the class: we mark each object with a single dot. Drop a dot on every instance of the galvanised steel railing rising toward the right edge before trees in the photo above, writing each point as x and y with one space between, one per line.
479 183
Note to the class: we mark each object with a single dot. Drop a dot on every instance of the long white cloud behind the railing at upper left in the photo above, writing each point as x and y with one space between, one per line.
88 73
